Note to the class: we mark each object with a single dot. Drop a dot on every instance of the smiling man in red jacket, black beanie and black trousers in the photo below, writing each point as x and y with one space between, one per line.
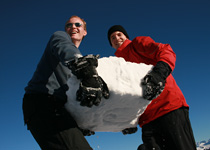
165 122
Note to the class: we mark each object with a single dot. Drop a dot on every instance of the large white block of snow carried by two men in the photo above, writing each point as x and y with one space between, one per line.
125 104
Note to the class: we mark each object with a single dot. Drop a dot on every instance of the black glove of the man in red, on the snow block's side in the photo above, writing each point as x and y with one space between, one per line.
154 82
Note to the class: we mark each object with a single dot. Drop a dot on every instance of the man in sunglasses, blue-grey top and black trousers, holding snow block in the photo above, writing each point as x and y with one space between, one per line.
45 95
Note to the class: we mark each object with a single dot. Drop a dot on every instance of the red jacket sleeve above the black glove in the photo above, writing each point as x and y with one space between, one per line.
148 48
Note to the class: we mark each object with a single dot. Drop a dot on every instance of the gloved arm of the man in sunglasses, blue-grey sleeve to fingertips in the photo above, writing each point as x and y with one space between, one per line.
92 86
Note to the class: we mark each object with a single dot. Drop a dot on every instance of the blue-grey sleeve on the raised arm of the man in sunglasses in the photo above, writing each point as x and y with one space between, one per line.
63 47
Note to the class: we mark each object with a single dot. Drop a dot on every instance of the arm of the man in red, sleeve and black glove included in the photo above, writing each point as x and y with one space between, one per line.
162 57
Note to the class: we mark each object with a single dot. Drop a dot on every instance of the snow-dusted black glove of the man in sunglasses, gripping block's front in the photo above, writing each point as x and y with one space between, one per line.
92 86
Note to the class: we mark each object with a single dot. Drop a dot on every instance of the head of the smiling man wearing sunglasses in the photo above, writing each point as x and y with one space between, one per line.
74 29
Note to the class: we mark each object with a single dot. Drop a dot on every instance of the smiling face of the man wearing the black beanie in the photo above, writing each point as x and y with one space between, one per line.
117 39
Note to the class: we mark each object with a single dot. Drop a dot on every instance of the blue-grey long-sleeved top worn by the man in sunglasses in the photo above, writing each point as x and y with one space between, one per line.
51 74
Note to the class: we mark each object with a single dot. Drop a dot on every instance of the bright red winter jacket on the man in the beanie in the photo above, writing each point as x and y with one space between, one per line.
145 50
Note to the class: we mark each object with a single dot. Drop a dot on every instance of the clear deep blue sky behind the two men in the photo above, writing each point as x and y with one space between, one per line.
26 26
